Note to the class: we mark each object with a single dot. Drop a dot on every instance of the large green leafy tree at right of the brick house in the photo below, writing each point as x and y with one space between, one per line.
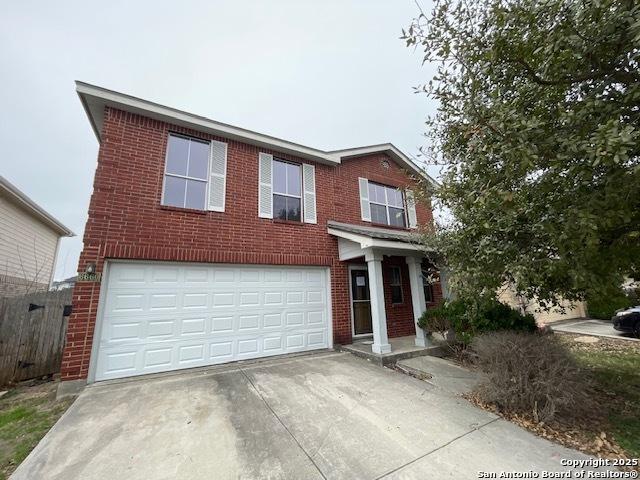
537 130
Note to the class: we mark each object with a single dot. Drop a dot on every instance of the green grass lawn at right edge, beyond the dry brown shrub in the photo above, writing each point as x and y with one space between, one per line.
616 370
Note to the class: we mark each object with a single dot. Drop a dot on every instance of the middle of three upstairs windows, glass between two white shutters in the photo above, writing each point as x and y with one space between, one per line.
287 191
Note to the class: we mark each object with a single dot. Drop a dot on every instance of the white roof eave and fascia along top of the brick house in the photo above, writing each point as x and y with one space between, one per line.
94 100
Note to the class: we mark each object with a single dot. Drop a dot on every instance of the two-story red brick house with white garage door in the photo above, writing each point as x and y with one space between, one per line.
216 244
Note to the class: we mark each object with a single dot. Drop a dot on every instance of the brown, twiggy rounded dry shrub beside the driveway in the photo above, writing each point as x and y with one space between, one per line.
531 374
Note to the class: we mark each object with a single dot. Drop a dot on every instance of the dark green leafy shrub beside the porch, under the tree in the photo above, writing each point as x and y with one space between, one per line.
469 318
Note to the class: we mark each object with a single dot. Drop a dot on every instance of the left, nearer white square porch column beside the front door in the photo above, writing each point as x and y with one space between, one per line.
376 293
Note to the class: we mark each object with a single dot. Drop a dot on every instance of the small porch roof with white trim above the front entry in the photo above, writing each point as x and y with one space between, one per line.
354 239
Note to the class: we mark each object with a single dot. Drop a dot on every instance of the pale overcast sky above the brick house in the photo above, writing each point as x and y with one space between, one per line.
330 74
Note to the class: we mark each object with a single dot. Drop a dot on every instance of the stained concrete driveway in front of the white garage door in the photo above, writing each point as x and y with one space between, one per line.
328 415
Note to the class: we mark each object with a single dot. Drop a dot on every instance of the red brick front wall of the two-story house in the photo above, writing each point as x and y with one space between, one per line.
126 220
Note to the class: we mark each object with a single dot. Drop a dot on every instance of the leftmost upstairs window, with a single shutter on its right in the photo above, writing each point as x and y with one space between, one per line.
186 173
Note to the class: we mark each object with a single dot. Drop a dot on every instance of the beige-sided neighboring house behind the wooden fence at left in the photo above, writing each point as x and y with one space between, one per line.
29 239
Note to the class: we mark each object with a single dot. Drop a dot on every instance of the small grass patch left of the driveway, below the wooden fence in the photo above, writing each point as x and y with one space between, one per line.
27 412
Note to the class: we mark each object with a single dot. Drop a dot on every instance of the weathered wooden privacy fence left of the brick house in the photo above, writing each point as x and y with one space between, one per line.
32 334
